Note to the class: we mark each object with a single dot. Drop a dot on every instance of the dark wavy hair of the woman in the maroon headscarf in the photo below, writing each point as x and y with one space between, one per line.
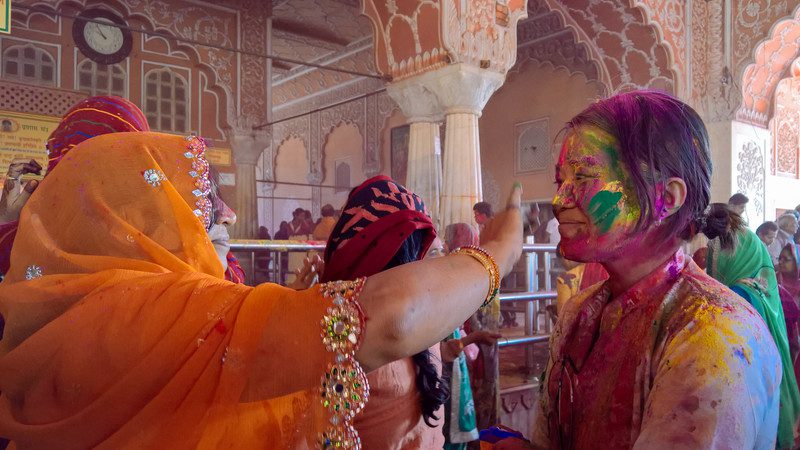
433 390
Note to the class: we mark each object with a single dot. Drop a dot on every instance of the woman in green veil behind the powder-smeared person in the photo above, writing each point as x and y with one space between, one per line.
738 259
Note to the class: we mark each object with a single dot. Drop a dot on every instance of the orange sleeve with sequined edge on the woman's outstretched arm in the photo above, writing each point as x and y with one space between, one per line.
308 346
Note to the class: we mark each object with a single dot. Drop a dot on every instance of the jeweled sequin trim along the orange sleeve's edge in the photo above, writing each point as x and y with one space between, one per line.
344 389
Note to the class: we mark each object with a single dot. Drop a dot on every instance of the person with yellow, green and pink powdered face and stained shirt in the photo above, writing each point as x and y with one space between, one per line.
661 355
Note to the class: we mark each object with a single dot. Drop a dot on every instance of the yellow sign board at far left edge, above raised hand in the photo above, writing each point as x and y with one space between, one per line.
24 136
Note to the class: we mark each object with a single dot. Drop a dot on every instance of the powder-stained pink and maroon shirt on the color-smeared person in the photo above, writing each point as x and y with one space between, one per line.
677 361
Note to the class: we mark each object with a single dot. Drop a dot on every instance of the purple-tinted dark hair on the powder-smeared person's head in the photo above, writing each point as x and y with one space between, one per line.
659 137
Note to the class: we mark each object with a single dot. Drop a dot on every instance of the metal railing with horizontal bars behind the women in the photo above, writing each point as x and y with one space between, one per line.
538 290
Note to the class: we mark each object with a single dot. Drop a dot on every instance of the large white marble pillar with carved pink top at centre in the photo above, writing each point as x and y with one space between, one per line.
453 55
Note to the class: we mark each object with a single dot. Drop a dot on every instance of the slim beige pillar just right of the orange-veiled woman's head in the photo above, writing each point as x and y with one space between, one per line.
247 145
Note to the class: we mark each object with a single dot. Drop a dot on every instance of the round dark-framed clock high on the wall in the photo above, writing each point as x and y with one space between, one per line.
103 43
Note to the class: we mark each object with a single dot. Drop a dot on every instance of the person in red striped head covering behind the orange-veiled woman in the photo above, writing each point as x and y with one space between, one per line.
93 116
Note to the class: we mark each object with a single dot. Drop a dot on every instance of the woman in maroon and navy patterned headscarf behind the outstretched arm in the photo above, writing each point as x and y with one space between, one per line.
384 225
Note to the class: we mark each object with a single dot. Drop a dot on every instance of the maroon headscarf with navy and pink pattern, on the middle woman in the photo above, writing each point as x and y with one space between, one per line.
378 217
